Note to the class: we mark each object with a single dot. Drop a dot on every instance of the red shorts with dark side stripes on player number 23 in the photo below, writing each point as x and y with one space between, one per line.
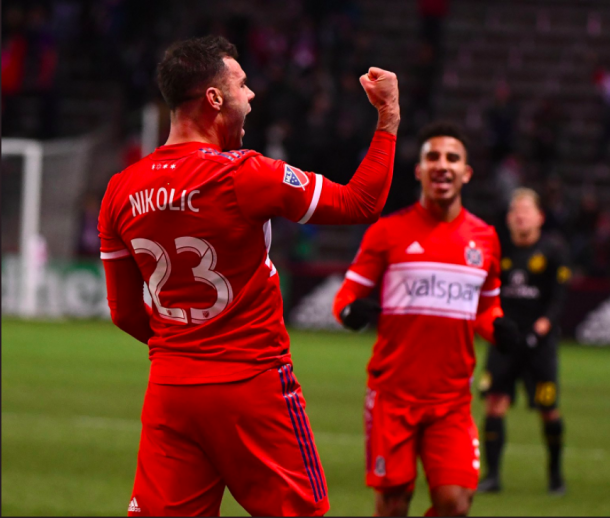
252 436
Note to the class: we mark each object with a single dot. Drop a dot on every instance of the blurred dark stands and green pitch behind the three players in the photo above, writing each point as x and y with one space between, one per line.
529 80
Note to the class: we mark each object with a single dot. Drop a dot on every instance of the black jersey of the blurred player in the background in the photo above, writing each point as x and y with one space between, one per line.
534 282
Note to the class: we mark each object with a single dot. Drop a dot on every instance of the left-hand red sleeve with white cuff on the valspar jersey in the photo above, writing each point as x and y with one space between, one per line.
365 271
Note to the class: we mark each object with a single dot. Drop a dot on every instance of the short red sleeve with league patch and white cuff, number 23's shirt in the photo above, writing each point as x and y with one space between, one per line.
266 188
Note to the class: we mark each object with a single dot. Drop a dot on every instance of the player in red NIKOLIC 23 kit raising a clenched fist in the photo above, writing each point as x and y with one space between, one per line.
223 408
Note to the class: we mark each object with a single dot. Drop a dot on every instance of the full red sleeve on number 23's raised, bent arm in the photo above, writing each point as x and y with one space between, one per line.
266 188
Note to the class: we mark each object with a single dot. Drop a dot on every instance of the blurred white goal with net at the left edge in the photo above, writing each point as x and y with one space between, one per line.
42 204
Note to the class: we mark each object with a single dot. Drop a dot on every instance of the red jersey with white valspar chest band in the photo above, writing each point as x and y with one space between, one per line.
432 274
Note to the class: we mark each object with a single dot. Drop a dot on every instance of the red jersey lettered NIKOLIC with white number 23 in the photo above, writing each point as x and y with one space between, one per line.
196 221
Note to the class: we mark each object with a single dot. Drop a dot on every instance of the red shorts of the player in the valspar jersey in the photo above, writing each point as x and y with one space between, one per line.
444 436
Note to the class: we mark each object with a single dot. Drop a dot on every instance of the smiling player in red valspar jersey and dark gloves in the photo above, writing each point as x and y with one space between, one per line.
438 267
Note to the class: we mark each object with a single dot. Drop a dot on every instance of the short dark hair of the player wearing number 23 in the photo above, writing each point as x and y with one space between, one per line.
188 67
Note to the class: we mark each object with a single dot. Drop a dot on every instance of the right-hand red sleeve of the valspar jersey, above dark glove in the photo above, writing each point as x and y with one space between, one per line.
489 301
